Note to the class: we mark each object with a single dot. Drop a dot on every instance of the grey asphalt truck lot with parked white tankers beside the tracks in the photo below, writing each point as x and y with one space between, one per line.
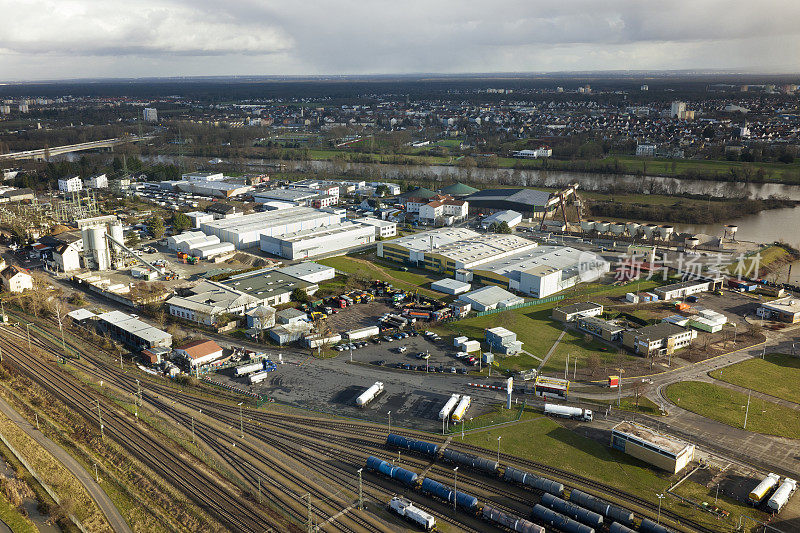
413 397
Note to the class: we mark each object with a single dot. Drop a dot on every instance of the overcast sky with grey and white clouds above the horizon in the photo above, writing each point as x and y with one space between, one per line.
49 39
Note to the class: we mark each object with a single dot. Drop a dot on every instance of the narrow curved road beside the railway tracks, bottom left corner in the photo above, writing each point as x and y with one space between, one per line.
113 515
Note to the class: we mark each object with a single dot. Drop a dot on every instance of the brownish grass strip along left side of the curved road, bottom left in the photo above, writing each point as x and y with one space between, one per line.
74 497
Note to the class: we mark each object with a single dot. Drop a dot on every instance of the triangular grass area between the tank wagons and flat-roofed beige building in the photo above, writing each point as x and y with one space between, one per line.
543 440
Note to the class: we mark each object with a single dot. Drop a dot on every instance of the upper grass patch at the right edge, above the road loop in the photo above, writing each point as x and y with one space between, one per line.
777 375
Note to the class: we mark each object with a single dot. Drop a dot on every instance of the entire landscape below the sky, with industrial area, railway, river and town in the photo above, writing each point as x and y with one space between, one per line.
546 304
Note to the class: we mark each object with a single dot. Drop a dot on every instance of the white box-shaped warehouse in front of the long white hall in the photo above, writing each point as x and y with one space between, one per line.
318 241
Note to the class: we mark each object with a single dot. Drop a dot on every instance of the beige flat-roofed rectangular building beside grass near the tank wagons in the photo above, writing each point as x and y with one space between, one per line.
647 444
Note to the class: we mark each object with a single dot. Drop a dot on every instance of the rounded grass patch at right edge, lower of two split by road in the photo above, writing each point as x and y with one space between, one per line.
728 406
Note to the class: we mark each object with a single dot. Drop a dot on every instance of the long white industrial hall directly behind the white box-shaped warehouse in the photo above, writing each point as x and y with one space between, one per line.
246 231
